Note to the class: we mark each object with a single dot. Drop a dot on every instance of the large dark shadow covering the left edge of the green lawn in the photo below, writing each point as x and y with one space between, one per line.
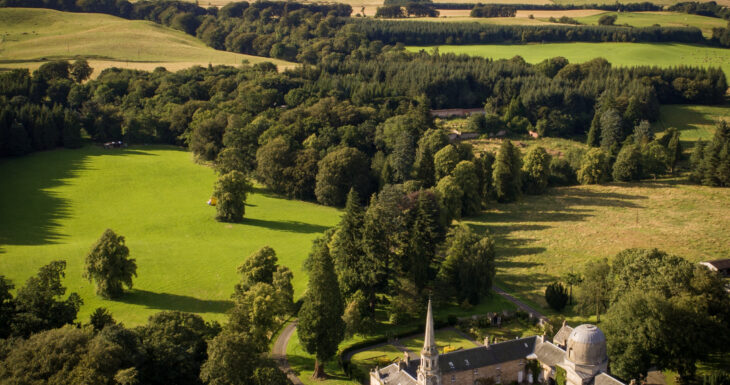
31 211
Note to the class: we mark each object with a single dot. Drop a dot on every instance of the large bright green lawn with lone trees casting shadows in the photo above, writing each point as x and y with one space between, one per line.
56 204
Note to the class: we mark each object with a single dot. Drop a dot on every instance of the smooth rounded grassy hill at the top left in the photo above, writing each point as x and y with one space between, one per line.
32 36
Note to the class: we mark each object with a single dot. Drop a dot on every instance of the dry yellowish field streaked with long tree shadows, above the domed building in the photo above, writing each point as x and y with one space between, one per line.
540 238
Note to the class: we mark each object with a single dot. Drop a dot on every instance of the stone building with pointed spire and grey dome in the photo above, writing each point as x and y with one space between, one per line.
579 352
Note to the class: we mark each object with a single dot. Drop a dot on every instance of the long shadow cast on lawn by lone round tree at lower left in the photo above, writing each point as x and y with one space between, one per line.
166 301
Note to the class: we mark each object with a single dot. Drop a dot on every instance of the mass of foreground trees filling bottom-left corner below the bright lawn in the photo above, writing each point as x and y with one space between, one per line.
41 343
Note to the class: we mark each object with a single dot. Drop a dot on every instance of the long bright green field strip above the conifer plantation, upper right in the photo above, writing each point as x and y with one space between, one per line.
619 54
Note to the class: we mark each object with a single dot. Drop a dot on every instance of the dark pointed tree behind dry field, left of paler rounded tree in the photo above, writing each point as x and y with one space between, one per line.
507 172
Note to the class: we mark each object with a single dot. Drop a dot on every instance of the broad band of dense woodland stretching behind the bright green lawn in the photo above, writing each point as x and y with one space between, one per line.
355 124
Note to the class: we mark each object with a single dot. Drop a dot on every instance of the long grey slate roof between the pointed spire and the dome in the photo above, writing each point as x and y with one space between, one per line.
482 356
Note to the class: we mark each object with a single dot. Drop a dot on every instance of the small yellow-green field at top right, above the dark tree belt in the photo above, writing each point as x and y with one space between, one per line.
665 19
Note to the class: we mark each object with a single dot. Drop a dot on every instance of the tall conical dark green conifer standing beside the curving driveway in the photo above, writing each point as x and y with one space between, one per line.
321 327
